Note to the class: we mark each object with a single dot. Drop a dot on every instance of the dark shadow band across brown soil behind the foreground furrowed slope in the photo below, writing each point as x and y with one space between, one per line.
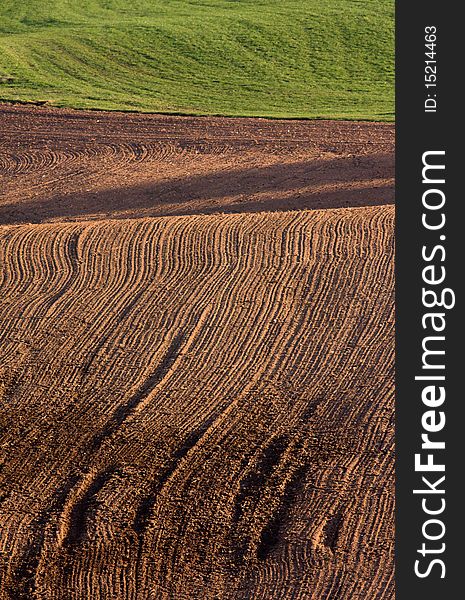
311 184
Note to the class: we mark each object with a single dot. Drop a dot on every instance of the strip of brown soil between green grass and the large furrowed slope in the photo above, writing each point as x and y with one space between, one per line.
62 165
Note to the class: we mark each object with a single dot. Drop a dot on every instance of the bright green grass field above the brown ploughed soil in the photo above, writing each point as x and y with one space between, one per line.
276 58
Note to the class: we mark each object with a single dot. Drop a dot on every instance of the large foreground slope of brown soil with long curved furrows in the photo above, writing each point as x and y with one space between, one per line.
201 407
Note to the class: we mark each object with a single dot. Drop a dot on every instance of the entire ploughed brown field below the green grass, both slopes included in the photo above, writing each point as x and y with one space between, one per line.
196 380
